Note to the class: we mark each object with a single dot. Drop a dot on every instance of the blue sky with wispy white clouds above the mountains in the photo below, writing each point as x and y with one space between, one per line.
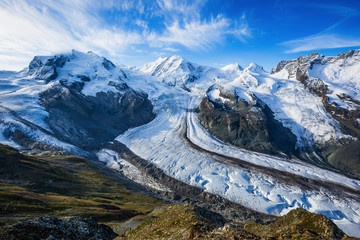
213 32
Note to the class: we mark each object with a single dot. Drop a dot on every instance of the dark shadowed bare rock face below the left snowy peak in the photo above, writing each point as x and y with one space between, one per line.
86 121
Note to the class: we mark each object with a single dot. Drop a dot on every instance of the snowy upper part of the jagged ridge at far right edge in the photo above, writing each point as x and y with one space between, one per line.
340 73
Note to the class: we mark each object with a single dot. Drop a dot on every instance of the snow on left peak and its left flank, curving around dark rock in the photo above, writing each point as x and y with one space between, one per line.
20 92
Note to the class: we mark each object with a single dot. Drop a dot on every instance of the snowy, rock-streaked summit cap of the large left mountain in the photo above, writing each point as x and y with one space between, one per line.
96 73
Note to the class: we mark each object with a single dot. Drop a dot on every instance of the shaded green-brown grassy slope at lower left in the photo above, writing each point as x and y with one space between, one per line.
64 186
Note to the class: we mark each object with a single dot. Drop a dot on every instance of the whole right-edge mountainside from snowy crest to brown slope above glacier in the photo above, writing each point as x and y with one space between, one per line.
335 80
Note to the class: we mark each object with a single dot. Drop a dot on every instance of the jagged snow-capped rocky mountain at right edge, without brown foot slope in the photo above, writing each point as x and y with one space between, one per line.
334 79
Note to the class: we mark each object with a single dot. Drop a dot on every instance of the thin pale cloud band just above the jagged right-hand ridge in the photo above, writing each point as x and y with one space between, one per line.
322 41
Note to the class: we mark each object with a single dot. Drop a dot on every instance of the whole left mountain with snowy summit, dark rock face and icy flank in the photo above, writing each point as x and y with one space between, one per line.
76 98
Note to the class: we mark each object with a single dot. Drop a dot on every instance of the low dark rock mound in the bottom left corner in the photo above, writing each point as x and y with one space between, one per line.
53 228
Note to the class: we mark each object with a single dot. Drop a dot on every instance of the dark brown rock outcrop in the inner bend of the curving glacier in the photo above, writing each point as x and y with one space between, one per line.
247 124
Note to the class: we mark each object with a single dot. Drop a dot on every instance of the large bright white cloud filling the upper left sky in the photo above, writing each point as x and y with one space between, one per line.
48 27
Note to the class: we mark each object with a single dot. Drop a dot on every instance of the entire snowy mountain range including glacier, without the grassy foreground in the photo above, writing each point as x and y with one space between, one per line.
262 140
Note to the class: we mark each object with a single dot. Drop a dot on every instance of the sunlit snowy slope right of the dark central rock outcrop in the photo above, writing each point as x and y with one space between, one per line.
293 105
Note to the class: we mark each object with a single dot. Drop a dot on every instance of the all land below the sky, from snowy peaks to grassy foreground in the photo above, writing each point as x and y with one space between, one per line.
178 150
